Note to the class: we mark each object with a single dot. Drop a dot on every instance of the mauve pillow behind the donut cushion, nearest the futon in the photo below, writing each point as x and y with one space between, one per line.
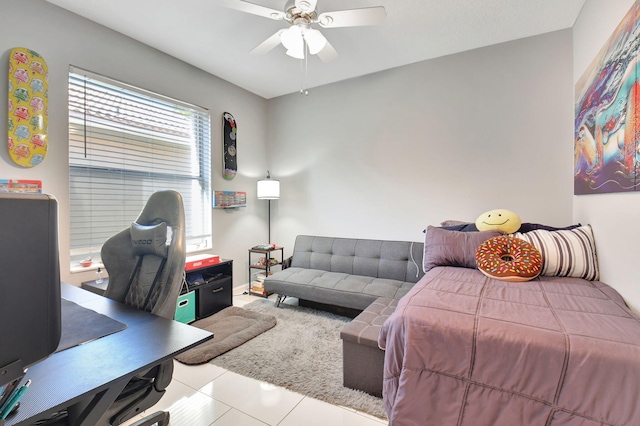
452 248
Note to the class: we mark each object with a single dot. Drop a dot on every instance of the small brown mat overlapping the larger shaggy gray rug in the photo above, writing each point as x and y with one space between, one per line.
231 327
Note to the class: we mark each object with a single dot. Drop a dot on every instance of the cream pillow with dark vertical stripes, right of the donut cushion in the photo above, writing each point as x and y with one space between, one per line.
567 253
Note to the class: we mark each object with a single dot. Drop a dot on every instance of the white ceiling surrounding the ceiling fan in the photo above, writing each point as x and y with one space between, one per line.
218 40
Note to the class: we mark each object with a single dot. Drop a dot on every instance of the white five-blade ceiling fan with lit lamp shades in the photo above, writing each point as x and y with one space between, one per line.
301 15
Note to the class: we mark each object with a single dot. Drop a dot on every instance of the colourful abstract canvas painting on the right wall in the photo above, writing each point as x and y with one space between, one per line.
607 120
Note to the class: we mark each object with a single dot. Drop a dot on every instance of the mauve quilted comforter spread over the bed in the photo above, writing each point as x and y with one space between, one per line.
464 349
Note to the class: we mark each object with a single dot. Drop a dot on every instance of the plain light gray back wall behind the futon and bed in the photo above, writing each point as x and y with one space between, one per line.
385 155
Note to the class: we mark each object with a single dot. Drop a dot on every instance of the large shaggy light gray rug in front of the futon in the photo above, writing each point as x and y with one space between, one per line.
302 353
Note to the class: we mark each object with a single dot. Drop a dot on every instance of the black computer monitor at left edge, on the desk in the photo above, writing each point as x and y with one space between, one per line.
29 282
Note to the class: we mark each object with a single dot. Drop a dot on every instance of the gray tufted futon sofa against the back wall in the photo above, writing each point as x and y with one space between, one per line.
348 272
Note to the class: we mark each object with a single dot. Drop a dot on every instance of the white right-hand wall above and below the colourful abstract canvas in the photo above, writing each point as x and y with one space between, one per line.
614 217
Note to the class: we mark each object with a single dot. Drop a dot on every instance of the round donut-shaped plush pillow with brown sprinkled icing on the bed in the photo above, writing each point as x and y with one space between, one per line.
508 258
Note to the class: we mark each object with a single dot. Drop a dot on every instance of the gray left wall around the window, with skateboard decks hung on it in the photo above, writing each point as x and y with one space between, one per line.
64 39
